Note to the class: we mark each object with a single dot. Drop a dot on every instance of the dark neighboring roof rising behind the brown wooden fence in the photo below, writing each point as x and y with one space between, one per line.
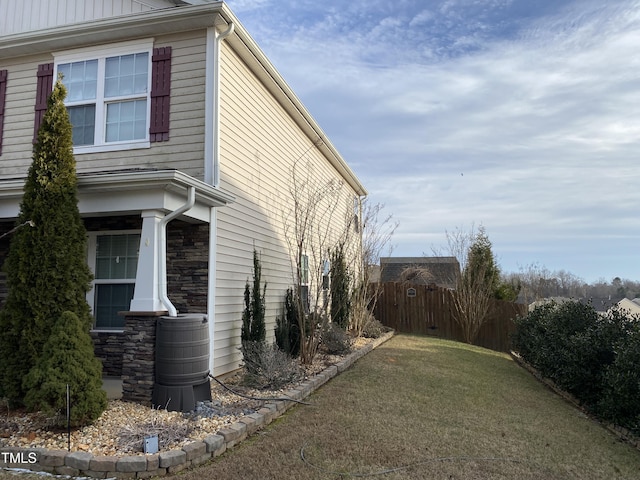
443 271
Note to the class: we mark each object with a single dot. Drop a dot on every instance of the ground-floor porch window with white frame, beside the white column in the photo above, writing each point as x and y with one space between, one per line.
114 258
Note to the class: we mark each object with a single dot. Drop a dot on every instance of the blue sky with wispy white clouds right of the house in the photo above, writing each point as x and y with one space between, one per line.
519 115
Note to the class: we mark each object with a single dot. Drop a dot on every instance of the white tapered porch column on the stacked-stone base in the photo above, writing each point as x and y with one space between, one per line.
146 297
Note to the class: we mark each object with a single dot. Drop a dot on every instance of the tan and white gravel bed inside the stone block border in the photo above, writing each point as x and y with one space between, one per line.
122 426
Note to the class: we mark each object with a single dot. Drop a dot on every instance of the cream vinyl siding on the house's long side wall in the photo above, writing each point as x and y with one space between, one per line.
259 144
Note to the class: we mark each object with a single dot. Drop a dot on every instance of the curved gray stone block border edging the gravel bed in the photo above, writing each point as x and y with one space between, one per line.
61 462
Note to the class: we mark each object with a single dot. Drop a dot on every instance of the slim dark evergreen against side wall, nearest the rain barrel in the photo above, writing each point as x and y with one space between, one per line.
253 316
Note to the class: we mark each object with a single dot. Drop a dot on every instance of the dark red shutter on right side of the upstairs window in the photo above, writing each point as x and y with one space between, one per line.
160 91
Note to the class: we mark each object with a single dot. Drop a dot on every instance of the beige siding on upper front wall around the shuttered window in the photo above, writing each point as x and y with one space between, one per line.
184 150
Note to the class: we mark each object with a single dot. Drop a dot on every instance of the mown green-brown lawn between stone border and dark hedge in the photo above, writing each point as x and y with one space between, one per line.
432 409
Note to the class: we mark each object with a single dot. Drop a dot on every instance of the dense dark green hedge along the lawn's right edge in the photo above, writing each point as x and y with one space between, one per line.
594 357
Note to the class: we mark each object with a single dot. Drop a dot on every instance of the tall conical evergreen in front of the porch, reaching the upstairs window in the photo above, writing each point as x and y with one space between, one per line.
46 267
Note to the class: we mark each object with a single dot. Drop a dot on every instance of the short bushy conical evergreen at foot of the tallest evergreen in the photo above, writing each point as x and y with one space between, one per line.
67 359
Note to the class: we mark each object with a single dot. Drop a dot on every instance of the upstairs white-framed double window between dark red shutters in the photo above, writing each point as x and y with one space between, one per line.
108 95
